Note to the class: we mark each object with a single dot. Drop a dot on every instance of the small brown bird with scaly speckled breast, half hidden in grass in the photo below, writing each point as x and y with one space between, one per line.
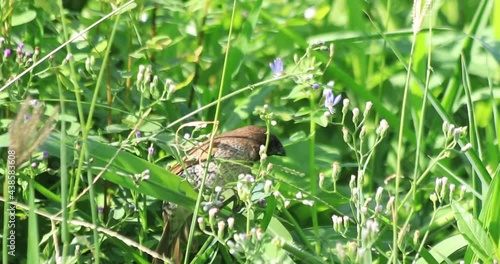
233 153
